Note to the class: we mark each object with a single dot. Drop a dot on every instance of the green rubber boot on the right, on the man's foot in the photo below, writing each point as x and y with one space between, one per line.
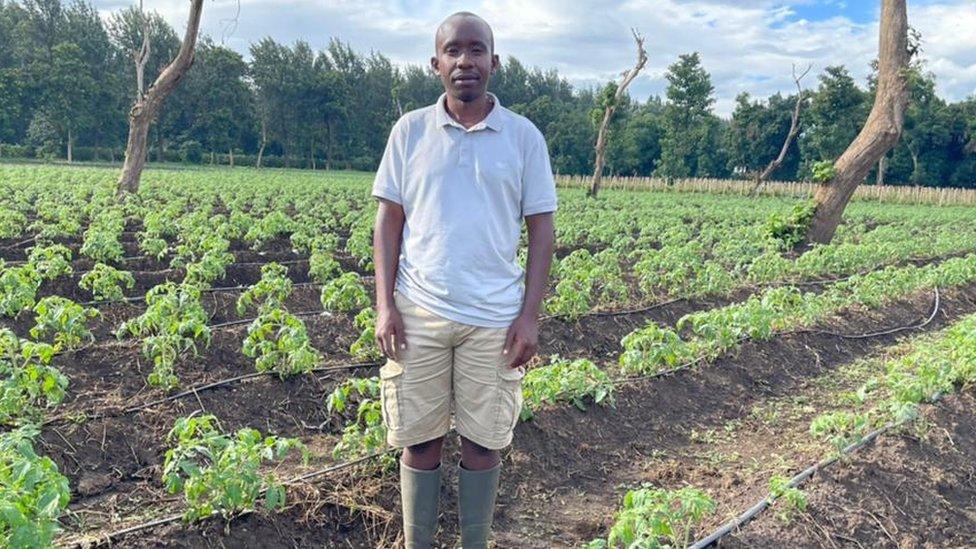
476 505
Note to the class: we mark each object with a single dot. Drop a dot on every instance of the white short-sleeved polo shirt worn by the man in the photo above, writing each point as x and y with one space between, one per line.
465 192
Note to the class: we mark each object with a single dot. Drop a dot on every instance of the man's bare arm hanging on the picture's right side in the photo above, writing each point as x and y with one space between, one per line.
522 340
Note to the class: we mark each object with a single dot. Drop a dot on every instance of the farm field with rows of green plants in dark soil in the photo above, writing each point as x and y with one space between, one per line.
206 349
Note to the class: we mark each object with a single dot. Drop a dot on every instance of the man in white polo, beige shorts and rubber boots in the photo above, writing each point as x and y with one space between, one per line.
453 316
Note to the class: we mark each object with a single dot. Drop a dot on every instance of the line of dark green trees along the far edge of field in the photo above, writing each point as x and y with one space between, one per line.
67 81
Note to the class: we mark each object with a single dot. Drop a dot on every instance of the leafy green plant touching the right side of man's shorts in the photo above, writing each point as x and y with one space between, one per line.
575 381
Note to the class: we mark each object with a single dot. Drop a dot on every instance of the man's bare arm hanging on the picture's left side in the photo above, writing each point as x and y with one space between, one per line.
387 233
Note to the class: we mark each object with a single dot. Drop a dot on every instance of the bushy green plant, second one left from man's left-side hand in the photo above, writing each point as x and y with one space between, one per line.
279 342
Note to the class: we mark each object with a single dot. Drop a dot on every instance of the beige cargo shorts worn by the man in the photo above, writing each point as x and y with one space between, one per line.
449 369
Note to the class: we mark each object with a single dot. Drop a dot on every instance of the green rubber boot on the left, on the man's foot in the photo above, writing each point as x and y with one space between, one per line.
420 493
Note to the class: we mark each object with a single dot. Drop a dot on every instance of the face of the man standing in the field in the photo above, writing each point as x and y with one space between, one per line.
464 59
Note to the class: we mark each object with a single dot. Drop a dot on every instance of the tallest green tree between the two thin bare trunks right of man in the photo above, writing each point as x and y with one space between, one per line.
689 126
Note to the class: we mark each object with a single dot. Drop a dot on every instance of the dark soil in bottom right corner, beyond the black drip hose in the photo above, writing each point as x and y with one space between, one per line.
916 488
